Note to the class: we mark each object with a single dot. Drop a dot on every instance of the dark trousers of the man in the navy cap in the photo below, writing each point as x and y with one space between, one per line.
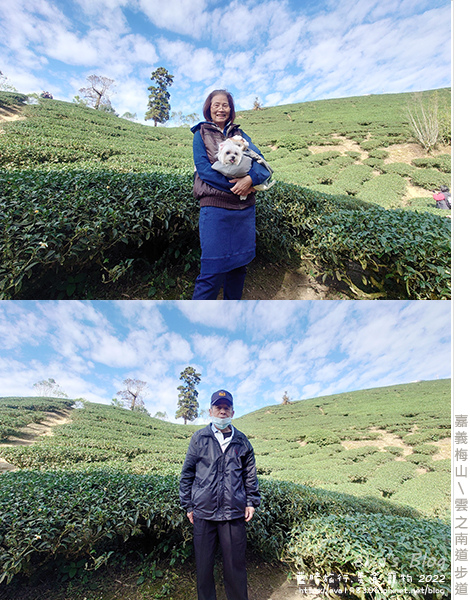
232 539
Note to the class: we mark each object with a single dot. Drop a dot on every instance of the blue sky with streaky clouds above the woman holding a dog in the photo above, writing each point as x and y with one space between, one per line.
281 51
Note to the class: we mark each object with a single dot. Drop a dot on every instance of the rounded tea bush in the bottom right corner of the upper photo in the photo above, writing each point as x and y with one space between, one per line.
395 249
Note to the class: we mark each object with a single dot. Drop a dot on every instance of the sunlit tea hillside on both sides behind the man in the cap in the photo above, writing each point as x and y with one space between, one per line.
384 443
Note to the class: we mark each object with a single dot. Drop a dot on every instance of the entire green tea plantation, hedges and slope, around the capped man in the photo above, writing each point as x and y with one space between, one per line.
356 485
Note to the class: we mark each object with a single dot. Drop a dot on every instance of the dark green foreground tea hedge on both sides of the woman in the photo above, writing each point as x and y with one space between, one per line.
65 223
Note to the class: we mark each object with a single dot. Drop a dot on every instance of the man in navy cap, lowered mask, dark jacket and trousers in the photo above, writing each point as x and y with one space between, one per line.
219 491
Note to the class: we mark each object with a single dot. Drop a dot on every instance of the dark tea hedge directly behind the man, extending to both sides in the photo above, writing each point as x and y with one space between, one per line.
60 516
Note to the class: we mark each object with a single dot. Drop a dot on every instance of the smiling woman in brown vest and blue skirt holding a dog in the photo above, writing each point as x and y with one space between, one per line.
226 222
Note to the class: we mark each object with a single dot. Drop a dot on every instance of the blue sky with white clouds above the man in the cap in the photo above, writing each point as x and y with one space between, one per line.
256 350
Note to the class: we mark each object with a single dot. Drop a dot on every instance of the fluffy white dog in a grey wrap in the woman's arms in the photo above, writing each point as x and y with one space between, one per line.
234 160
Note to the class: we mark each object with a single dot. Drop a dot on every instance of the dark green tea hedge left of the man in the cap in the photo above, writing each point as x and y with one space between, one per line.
88 514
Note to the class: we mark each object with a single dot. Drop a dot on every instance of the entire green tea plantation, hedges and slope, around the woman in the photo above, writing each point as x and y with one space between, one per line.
94 206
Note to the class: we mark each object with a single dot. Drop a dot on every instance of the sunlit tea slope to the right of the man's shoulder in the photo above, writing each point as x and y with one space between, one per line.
387 442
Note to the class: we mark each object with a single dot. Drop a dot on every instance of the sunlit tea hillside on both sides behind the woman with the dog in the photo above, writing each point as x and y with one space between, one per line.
346 146
